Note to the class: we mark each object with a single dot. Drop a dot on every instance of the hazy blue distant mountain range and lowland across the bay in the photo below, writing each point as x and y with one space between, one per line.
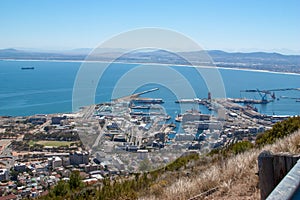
256 60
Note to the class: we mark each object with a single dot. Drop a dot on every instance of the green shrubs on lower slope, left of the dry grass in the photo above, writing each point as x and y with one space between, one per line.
128 188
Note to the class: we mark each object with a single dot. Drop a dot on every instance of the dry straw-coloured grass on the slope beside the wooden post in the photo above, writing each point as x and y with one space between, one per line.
235 177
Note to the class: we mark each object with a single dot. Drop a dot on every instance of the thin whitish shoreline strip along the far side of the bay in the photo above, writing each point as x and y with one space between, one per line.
159 64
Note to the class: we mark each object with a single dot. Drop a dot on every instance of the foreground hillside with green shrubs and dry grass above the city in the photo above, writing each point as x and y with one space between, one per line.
229 173
